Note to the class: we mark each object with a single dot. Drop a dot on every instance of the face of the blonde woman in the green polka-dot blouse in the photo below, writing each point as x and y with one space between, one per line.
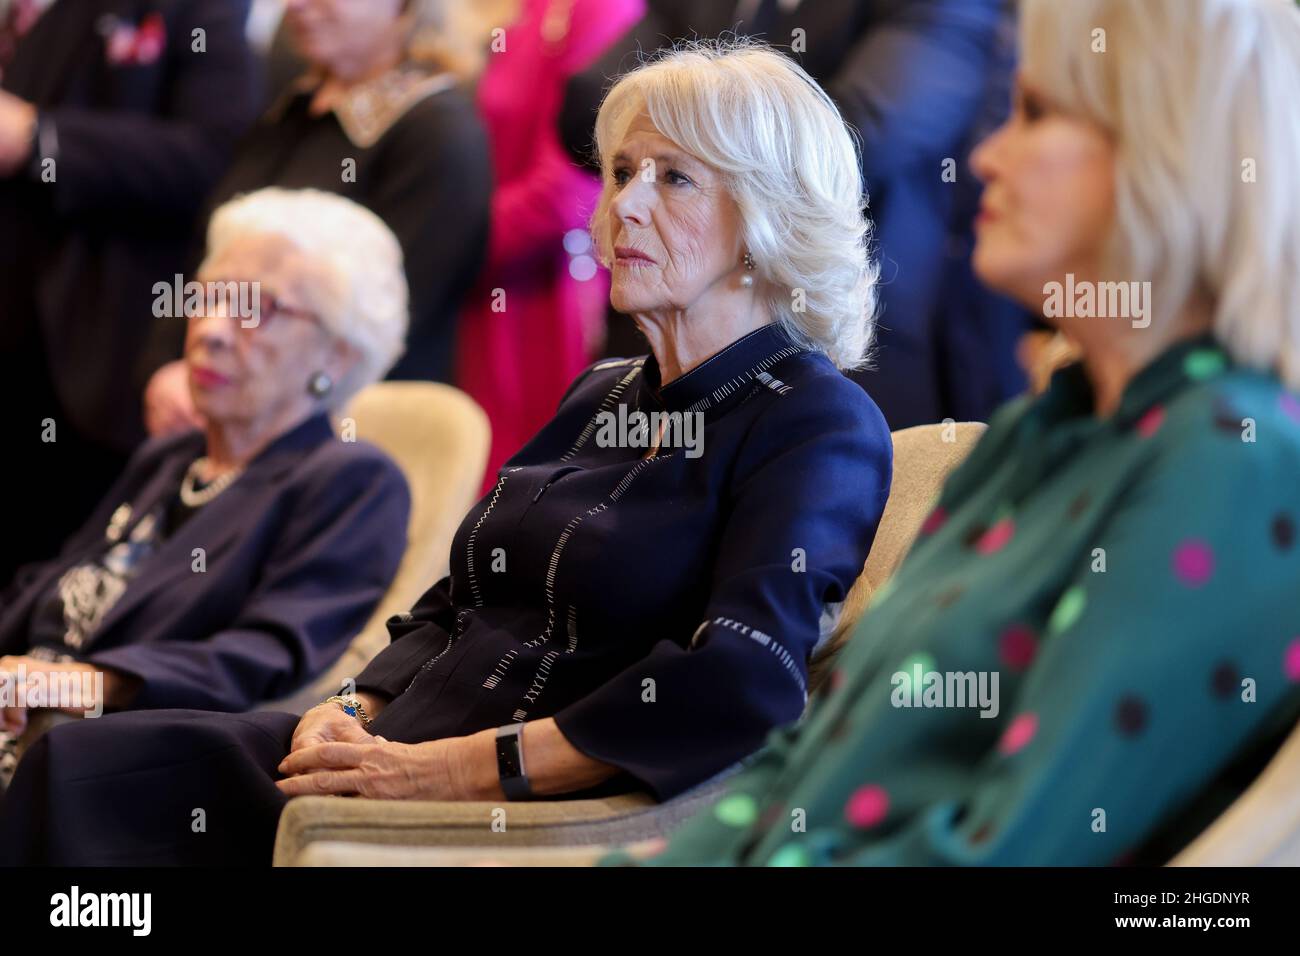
1050 198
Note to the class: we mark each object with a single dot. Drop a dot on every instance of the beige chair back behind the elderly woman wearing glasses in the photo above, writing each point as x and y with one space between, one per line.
439 436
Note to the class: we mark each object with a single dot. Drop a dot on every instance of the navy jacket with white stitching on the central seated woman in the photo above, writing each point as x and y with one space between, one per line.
662 611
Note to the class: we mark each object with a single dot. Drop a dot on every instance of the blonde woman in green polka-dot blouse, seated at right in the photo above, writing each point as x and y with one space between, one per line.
1116 566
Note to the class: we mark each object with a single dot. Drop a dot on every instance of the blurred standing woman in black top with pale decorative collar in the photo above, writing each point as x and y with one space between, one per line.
385 118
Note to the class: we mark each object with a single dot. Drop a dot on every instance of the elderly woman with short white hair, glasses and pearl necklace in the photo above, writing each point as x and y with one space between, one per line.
233 564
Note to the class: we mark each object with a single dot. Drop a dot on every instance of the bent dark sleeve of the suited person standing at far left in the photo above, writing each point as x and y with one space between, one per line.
164 162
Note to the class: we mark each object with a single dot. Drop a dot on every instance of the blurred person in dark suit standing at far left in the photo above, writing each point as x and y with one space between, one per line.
118 118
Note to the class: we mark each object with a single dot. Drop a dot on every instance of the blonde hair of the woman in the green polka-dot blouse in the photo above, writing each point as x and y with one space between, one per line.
1201 97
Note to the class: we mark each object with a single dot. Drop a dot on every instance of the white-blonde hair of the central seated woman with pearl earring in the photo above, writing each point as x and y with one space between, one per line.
790 163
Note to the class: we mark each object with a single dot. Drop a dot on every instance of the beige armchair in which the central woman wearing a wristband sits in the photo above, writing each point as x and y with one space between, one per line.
322 830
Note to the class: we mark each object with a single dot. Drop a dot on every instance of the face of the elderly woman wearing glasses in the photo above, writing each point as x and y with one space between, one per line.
245 369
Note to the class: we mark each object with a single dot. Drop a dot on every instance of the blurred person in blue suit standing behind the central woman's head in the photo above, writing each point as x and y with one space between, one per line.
913 79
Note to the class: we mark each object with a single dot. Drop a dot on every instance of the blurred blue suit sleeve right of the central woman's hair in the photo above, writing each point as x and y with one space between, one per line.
915 81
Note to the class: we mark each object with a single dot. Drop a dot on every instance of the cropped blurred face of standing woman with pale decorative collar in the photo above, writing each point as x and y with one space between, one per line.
336 34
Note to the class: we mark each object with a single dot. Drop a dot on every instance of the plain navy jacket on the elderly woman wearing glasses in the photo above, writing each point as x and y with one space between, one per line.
298 553
